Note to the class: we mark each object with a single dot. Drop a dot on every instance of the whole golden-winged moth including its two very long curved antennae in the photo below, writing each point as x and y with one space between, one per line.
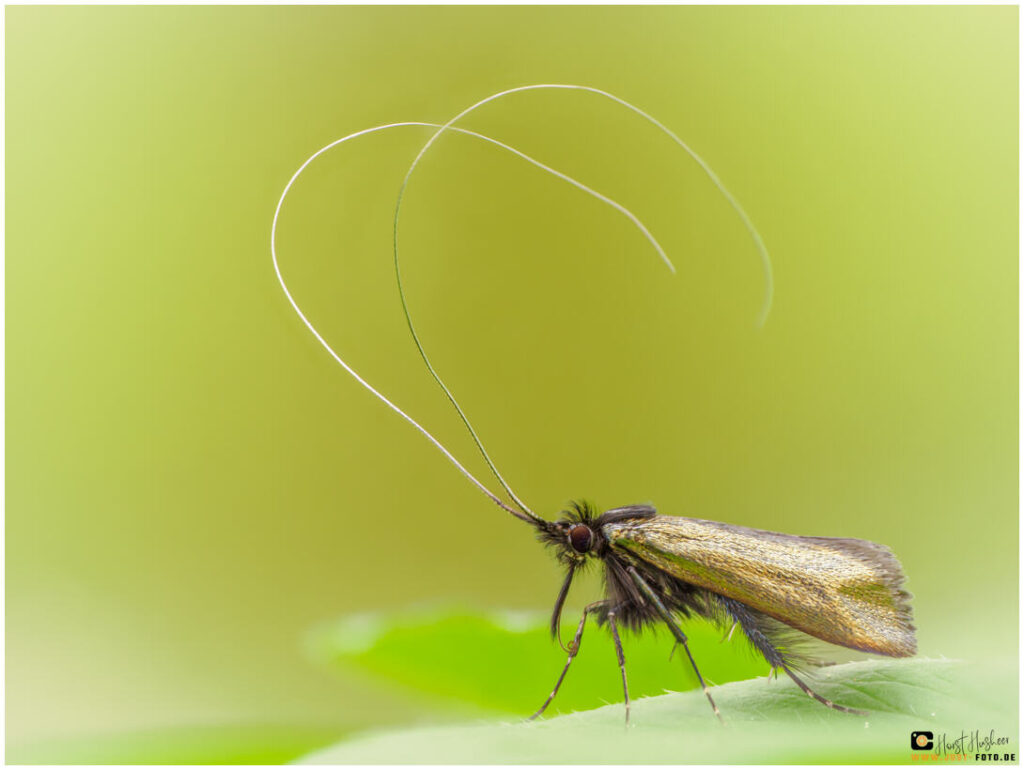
663 570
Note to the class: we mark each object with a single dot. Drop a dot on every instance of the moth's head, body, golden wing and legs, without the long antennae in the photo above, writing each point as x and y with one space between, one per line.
661 569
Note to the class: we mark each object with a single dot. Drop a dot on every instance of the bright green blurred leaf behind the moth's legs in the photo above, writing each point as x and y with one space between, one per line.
507 663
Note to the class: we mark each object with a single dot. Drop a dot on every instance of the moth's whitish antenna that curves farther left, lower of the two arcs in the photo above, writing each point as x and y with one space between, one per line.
526 516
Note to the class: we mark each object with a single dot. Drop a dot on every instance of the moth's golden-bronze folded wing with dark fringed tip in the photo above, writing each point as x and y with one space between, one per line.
843 591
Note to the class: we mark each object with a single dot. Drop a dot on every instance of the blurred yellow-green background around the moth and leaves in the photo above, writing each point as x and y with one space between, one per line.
193 485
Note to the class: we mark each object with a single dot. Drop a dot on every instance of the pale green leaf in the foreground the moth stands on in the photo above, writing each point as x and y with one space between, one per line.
766 721
